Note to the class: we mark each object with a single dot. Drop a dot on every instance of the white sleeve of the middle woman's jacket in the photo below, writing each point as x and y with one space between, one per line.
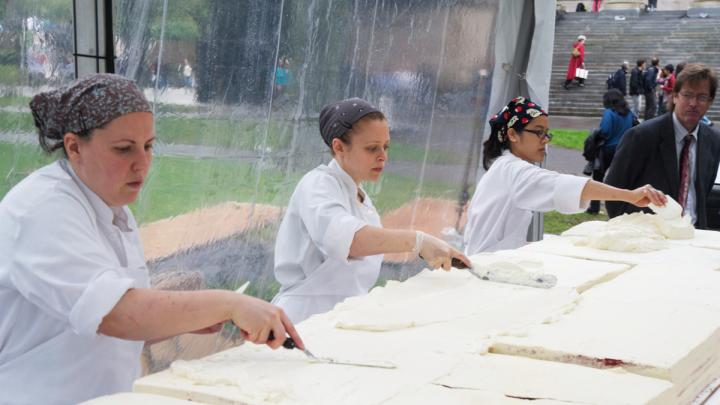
324 211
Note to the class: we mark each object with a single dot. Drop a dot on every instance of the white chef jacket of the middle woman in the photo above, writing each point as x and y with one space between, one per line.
313 244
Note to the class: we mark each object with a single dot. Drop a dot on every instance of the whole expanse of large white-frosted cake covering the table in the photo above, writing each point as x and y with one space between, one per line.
456 339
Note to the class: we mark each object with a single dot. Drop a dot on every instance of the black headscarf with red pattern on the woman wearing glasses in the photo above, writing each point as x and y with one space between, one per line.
517 114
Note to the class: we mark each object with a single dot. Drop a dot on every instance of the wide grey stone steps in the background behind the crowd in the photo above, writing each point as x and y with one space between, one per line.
669 35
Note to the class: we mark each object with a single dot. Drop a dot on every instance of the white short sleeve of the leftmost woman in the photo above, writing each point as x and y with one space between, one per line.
59 264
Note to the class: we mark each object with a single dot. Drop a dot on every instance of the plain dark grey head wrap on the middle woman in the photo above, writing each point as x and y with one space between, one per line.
338 117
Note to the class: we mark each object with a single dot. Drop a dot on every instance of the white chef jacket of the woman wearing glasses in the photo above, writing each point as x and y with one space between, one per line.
506 196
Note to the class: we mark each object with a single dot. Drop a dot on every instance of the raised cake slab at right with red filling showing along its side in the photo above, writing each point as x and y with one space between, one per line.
654 320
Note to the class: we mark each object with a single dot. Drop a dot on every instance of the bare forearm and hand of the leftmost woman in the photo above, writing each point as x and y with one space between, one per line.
150 315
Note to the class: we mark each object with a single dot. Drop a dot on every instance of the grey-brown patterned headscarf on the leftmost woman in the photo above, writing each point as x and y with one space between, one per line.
84 105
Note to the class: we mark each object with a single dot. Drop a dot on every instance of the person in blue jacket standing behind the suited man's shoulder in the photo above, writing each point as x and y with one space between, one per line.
617 118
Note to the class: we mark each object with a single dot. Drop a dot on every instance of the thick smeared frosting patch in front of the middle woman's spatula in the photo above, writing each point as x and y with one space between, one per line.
422 301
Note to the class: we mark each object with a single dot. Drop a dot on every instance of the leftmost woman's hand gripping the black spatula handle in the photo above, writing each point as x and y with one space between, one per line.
256 319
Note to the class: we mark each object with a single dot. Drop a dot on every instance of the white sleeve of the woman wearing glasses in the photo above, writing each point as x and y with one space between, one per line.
538 189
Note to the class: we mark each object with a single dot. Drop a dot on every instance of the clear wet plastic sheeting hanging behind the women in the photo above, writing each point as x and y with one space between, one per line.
236 87
